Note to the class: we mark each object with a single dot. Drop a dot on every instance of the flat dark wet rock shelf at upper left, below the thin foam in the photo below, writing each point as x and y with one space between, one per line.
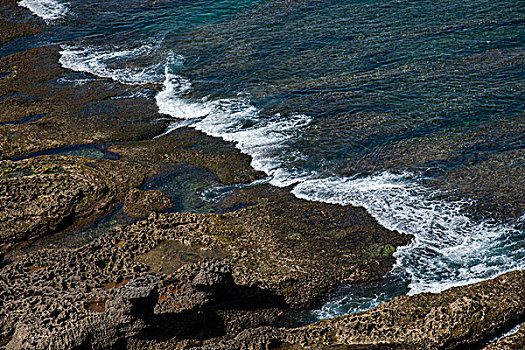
78 114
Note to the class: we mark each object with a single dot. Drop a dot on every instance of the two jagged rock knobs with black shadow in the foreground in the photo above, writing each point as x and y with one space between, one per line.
210 292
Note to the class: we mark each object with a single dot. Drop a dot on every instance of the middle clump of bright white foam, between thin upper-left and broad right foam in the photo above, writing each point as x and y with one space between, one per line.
235 120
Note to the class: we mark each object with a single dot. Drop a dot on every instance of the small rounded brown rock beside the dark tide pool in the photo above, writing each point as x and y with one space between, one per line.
142 203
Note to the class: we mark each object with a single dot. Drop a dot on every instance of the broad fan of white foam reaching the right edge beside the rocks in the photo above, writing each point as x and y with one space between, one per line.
449 249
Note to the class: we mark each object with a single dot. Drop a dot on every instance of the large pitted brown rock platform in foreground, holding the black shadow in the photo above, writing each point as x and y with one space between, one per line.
257 273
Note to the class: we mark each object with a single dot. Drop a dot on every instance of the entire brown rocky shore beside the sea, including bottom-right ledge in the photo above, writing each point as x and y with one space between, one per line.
70 155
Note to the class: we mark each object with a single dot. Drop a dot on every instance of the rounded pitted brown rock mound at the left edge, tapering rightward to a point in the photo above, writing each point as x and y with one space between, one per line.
48 194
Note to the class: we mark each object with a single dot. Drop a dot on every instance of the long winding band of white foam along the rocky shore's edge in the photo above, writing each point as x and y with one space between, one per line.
449 248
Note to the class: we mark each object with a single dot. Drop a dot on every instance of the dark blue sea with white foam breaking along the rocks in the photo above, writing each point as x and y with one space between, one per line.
396 106
